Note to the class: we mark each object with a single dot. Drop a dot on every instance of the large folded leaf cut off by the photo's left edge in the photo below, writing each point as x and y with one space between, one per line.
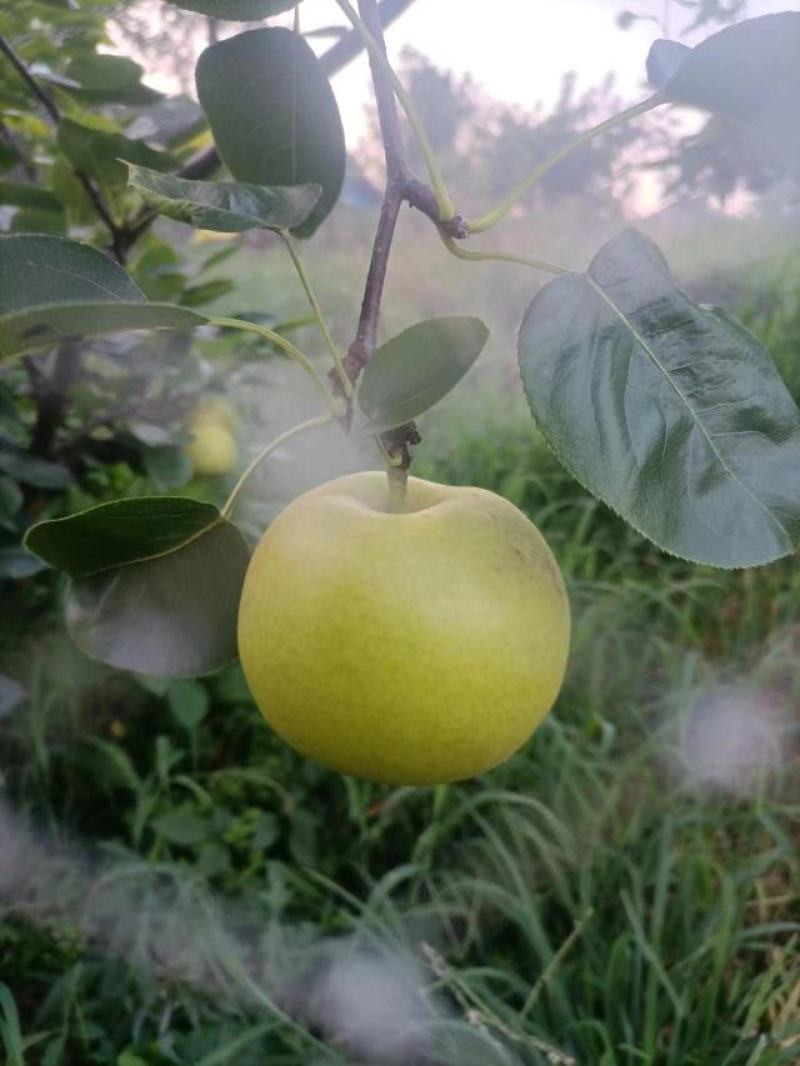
54 289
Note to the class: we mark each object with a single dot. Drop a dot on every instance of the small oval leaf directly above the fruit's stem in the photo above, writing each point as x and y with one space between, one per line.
413 372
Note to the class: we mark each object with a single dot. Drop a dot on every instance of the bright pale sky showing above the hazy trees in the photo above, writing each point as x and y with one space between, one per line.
520 52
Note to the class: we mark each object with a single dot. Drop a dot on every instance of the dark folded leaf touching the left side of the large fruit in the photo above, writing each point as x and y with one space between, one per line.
156 584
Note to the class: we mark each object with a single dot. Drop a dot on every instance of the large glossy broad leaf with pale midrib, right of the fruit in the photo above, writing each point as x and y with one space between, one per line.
673 414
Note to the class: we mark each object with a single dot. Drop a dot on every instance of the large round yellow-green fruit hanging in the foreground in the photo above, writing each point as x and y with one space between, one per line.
415 648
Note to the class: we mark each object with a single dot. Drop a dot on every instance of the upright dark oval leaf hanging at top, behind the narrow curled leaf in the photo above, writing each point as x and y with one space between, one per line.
274 116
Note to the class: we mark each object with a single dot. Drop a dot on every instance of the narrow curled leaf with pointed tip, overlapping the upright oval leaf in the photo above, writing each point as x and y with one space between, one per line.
227 207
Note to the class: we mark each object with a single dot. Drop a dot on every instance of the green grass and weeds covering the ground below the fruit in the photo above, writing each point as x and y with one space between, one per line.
196 894
